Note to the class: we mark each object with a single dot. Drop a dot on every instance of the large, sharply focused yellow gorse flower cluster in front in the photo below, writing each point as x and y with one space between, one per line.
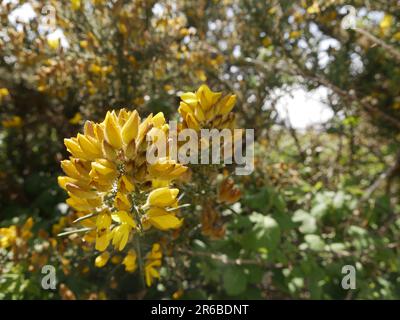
110 183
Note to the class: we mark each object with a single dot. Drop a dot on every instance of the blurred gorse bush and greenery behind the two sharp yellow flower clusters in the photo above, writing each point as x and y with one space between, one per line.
323 195
